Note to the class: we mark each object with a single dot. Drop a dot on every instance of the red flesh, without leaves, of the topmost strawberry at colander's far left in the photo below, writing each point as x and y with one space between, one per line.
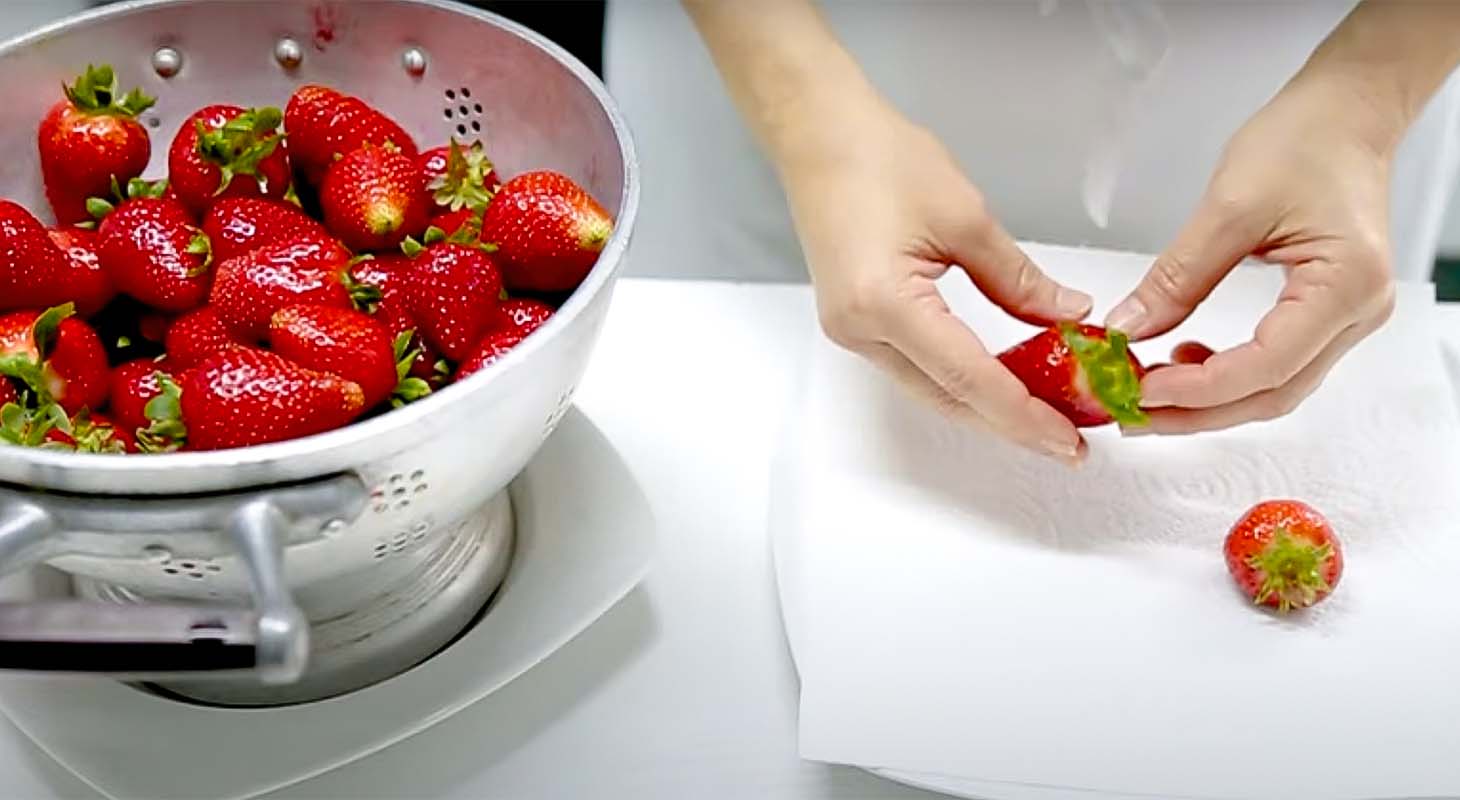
82 153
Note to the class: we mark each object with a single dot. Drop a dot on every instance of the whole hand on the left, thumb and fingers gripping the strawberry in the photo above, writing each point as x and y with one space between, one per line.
883 214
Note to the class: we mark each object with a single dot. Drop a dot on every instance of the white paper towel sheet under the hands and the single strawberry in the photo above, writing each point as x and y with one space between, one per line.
961 608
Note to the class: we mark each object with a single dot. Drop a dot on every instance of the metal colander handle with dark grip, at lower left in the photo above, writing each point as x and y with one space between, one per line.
154 640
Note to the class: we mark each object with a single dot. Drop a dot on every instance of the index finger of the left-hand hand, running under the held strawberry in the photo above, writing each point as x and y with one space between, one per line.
942 347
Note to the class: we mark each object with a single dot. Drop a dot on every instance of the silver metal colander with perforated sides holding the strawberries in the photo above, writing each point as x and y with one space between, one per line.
211 569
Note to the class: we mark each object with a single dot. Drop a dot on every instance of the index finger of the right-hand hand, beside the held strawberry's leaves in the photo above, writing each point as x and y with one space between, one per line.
1287 339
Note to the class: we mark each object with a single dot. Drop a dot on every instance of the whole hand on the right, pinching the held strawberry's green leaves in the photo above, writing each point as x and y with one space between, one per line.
1302 186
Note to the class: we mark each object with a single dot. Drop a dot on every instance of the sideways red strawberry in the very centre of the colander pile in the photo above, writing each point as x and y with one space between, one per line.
253 287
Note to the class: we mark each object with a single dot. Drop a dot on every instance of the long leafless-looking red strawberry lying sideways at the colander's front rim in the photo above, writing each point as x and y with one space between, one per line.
247 398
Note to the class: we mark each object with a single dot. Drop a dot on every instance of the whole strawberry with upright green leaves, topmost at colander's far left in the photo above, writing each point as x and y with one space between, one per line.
91 139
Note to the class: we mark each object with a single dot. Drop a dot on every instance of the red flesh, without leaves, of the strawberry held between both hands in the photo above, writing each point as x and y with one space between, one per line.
1049 370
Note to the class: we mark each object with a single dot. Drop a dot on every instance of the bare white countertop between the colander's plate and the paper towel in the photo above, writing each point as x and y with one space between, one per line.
687 688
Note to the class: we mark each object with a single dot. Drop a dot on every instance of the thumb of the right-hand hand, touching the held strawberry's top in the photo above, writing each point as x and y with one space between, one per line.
1207 249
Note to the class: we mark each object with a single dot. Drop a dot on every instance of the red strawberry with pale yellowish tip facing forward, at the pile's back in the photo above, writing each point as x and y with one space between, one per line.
373 199
